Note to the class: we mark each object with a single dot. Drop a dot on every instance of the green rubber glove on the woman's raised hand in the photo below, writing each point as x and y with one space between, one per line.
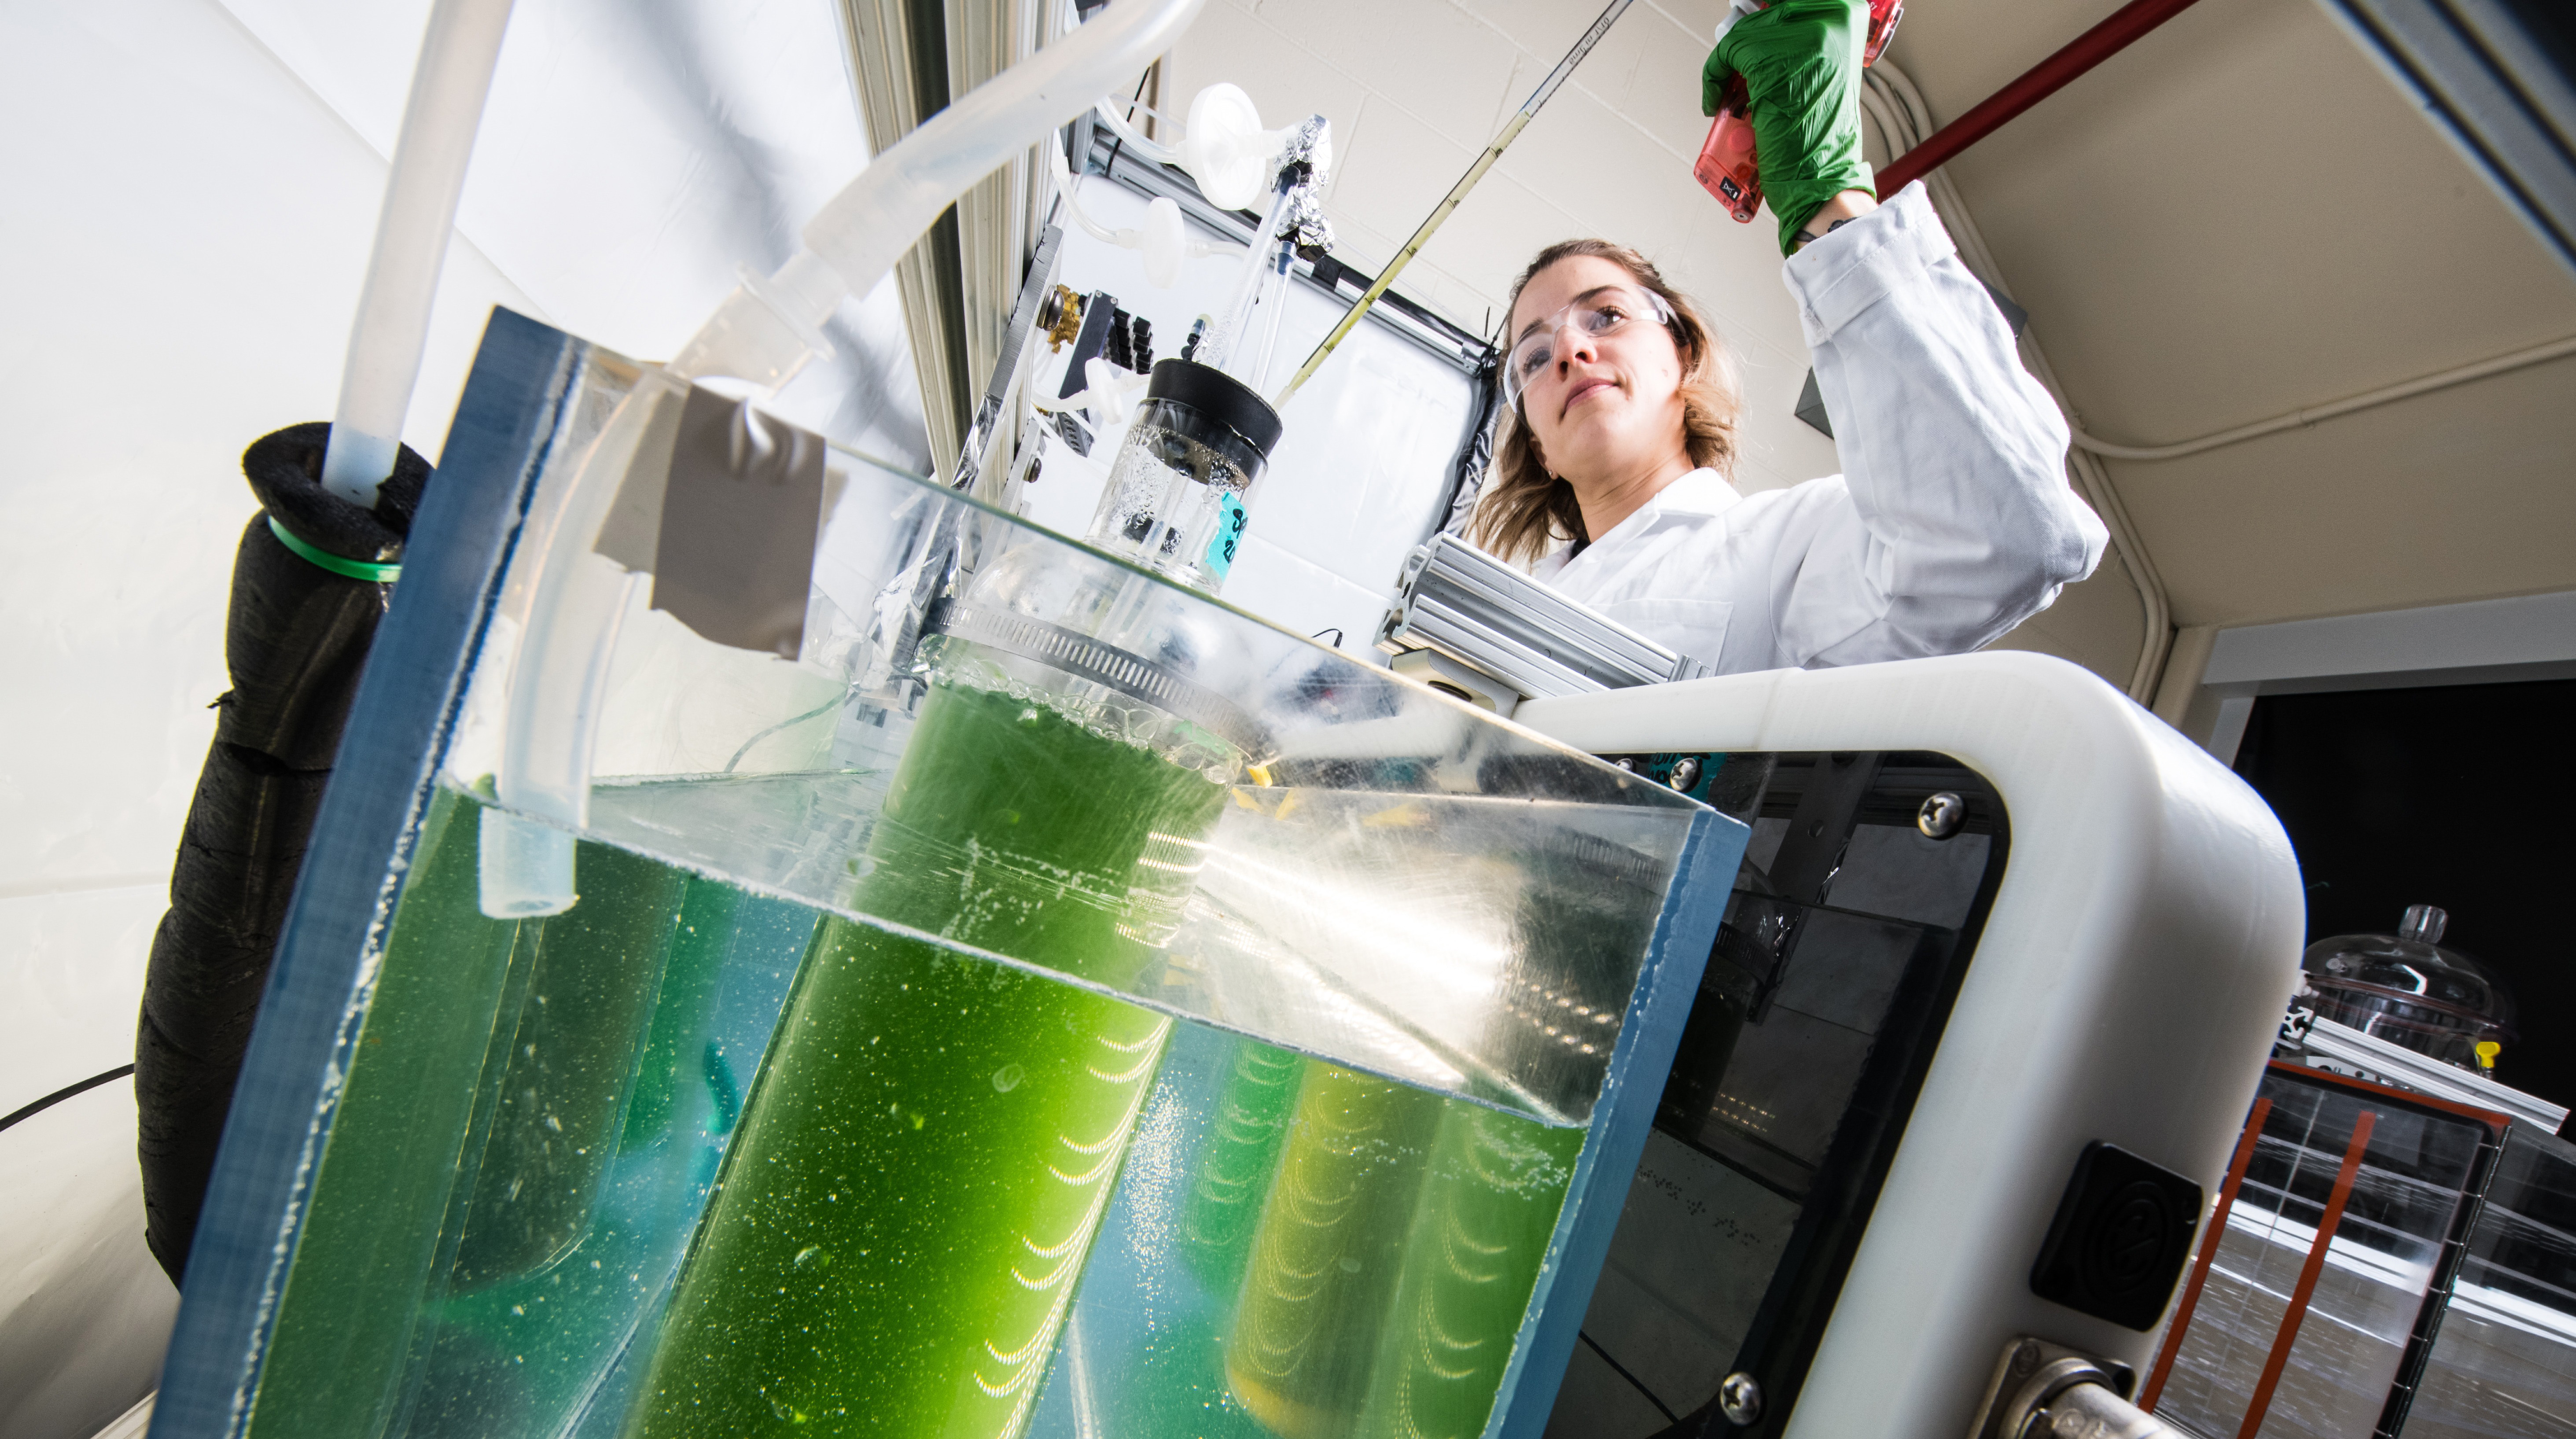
1802 79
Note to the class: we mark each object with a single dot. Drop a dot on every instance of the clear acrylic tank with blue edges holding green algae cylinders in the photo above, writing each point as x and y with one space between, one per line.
797 951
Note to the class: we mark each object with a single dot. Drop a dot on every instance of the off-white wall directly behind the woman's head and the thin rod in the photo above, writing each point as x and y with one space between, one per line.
1418 89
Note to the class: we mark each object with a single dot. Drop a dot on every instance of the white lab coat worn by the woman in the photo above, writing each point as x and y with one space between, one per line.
1949 526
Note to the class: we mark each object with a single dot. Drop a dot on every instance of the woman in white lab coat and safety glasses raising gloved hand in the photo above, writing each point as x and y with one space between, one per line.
1951 521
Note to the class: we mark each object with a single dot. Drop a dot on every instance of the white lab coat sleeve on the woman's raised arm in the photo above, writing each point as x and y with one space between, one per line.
1954 519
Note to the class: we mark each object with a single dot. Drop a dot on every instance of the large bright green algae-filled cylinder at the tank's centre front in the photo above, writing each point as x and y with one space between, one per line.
934 1139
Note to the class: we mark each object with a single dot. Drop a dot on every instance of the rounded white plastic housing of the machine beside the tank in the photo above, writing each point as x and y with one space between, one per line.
2126 990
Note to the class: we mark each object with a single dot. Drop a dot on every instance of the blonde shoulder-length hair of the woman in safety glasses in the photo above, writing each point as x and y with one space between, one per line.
1524 506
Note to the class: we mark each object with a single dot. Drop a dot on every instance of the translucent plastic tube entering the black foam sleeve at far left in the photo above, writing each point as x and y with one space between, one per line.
429 171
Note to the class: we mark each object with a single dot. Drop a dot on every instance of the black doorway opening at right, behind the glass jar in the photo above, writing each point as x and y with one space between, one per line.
2446 797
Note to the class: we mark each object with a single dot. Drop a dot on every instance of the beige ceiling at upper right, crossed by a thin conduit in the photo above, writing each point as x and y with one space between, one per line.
2242 218
